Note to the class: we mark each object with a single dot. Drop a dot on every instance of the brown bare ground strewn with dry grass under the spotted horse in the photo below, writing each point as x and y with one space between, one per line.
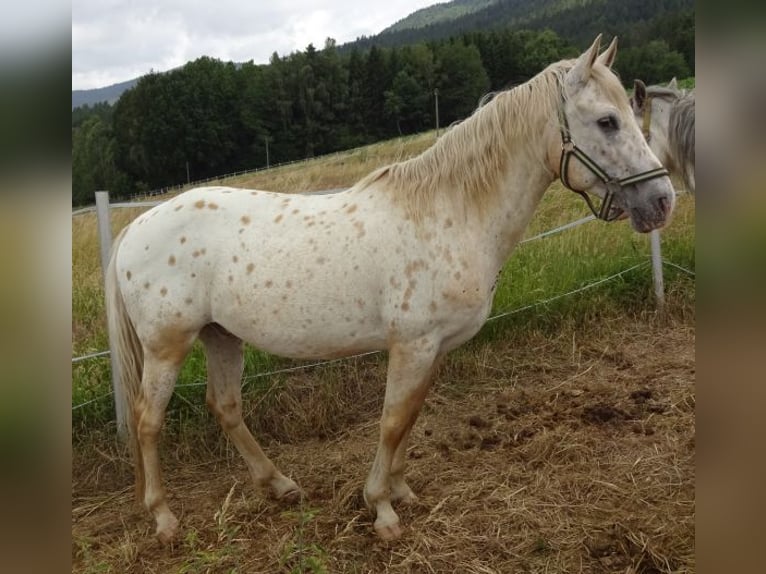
584 465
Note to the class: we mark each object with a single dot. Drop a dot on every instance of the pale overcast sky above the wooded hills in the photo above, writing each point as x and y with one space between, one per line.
118 40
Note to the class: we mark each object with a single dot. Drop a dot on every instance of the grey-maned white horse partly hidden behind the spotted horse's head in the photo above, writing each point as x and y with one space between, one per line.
666 115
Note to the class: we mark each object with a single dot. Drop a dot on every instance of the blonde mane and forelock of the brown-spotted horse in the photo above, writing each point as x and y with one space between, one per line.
469 160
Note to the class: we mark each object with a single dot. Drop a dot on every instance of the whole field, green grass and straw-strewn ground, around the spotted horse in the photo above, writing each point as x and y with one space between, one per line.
622 371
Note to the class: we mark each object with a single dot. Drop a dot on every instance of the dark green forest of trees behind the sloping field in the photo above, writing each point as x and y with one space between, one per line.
211 117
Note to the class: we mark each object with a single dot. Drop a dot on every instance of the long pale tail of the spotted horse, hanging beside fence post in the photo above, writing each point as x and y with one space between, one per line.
128 358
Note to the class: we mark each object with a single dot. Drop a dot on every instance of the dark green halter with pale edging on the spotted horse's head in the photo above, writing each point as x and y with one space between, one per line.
613 185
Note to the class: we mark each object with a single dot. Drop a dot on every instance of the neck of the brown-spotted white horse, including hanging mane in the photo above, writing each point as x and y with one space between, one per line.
489 172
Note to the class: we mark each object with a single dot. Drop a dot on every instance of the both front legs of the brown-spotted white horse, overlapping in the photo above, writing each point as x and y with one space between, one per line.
409 375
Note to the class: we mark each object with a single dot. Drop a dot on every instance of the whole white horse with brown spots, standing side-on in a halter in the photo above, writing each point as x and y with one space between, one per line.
405 260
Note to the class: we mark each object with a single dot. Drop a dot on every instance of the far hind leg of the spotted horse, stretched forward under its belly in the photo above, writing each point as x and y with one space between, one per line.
225 361
